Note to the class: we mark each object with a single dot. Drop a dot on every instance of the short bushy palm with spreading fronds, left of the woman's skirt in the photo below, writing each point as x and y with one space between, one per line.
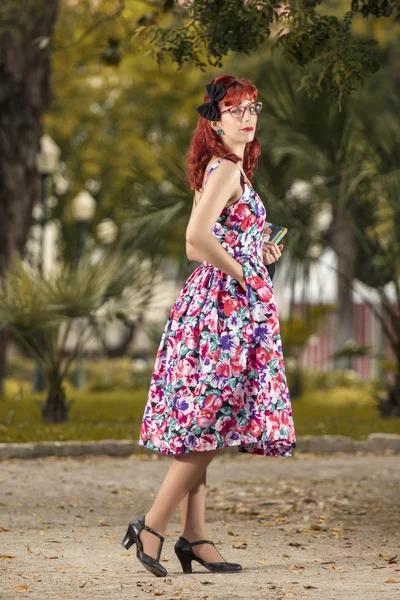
42 310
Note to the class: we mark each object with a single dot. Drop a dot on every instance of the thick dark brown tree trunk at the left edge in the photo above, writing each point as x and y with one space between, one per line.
24 96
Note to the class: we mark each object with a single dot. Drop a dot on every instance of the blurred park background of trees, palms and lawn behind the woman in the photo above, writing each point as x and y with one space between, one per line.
103 246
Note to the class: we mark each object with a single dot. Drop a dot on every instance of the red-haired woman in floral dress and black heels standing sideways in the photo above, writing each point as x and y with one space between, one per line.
219 377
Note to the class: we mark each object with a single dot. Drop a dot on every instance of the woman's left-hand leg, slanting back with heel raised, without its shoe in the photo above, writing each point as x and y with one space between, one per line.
184 472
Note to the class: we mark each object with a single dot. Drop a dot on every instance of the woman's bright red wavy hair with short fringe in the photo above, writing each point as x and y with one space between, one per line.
206 143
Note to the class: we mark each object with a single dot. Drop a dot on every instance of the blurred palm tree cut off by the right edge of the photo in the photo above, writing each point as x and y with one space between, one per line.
380 243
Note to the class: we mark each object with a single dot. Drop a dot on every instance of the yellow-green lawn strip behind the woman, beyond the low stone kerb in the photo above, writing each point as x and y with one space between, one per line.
117 414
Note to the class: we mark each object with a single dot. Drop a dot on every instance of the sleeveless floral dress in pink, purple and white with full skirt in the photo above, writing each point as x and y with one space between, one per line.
219 375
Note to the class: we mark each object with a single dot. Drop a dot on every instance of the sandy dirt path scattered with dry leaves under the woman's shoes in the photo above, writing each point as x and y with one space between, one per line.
322 527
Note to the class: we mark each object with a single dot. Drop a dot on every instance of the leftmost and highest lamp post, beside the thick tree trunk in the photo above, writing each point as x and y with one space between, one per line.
47 161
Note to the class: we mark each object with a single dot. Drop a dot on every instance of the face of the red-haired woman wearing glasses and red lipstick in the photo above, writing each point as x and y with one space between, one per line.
237 129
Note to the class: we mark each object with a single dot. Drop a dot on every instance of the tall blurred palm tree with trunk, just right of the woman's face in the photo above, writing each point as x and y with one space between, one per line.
316 141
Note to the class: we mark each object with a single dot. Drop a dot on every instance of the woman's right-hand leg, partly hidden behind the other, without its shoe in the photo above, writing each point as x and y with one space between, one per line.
193 527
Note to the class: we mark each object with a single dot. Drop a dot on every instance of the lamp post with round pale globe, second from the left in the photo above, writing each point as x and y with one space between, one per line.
83 208
